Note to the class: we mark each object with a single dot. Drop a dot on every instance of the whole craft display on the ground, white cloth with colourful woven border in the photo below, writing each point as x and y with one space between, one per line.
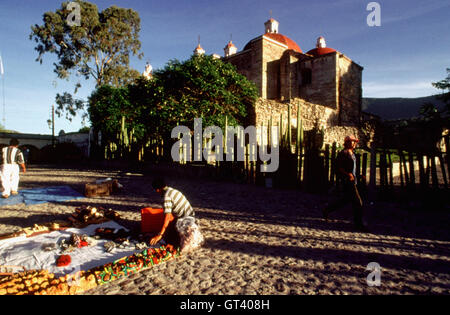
75 256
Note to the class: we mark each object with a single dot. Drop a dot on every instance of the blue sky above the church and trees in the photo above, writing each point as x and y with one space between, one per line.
401 57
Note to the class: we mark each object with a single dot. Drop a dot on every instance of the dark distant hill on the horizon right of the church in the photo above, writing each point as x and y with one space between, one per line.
397 107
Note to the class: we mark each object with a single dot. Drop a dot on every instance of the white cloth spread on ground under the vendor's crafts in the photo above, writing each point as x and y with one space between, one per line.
28 252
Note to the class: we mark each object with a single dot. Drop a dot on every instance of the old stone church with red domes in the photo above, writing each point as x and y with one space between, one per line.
323 83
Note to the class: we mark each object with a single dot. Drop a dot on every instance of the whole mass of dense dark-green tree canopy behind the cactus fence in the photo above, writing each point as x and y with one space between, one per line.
200 87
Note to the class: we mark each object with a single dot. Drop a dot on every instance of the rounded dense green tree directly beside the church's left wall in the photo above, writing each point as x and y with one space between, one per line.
201 87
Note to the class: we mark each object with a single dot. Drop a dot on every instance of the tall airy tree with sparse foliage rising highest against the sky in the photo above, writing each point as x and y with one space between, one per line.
100 48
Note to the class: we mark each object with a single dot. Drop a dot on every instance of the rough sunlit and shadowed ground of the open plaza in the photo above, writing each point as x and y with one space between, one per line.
263 241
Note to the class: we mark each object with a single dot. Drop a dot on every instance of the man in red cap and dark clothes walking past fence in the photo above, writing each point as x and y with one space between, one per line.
346 171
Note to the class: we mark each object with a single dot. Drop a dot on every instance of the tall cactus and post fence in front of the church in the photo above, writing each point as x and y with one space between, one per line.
305 162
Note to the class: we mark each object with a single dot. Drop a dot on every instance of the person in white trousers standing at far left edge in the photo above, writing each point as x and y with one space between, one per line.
11 158
